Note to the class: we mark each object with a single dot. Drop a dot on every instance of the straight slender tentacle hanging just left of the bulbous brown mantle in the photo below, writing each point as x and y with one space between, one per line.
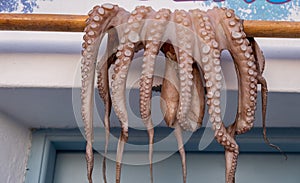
152 47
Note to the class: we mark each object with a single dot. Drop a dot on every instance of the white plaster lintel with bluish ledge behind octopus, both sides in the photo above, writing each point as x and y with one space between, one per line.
52 60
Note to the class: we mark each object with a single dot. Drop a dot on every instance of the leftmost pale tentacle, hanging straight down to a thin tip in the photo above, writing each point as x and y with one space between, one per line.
99 18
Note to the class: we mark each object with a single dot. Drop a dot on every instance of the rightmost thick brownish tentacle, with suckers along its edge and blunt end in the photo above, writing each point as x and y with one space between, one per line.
233 38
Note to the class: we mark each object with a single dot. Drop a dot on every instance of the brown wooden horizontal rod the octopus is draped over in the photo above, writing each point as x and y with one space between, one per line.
76 23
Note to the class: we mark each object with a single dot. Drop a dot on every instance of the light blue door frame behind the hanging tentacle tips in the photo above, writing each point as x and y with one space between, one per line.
46 143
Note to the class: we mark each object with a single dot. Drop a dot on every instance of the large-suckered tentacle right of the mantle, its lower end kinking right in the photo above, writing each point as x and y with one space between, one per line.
210 64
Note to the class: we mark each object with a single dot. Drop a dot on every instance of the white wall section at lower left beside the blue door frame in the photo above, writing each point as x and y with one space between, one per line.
15 143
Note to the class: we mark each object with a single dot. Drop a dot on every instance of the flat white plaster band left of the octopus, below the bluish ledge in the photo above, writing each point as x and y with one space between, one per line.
38 70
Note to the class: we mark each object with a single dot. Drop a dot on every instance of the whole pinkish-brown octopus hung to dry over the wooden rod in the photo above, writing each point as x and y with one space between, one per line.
192 42
